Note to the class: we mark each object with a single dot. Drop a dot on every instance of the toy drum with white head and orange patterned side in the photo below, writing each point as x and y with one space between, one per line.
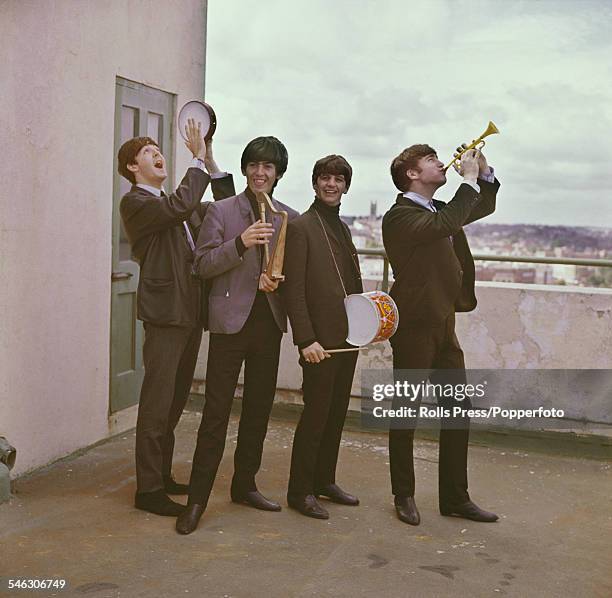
372 317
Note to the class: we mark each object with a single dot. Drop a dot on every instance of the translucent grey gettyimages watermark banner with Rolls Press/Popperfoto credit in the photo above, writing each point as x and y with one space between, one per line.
523 399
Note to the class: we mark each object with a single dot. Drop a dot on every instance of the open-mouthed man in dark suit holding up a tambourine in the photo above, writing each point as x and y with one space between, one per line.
160 229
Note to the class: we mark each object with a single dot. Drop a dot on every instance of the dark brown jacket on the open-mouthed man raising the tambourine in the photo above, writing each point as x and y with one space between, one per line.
168 292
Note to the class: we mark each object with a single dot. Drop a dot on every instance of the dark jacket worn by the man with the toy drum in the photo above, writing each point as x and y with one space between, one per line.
312 292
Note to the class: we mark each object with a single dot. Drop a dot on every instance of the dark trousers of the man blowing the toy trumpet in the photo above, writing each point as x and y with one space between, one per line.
425 348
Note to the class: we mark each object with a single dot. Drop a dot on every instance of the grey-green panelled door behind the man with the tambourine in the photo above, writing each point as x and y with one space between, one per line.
139 111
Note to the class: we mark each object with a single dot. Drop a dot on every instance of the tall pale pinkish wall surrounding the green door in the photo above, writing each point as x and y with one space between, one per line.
57 74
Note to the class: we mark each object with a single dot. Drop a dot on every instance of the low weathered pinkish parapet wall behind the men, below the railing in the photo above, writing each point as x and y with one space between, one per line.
514 327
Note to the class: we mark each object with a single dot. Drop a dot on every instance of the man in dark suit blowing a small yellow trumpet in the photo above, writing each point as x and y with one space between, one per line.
434 278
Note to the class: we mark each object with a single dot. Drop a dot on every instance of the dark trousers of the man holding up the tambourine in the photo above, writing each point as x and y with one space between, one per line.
170 354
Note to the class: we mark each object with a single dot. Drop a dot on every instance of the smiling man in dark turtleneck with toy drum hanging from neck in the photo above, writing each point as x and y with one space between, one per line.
321 268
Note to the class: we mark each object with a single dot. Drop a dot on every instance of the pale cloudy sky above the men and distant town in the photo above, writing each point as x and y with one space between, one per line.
368 78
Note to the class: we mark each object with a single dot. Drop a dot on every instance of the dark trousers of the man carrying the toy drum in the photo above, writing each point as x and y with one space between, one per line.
327 390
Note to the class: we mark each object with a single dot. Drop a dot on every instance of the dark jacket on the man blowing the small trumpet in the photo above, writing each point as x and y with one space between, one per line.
430 256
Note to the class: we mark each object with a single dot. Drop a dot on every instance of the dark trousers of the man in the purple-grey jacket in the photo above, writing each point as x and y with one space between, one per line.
258 345
